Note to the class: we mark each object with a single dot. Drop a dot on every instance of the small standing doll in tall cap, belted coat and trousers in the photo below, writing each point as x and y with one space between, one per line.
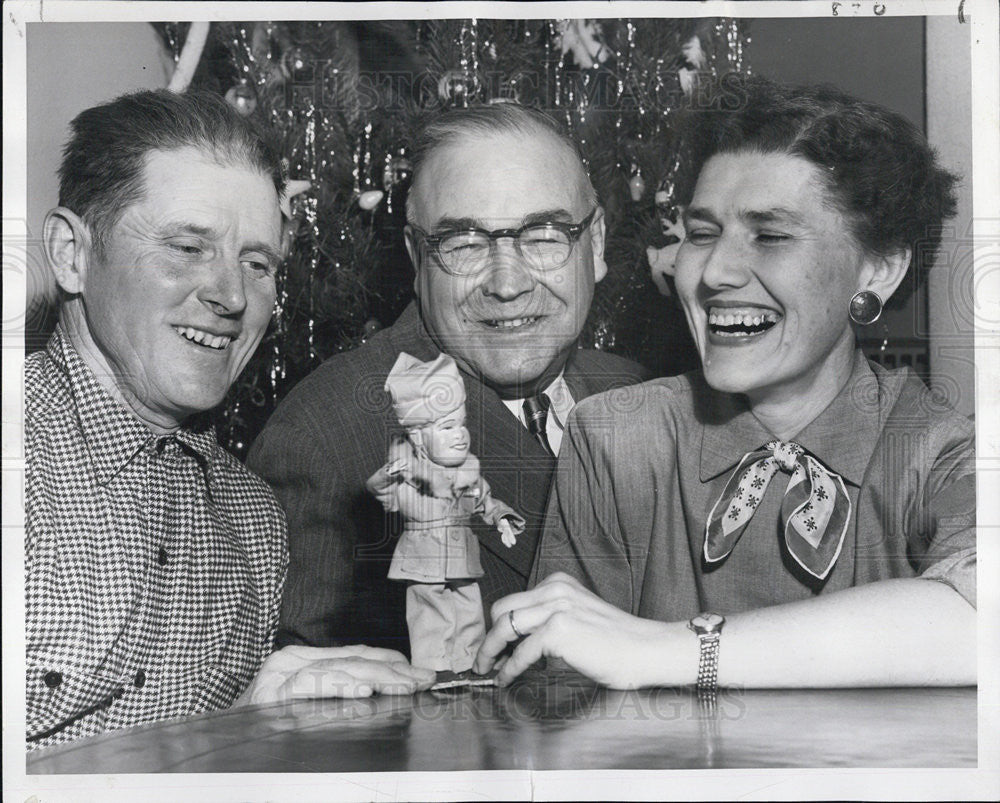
433 481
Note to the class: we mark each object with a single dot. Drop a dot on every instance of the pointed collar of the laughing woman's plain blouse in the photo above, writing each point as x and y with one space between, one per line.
731 430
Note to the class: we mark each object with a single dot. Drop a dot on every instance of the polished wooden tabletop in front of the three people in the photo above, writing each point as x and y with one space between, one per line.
548 721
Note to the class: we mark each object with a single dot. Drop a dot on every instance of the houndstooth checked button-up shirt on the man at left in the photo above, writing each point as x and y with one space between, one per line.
154 565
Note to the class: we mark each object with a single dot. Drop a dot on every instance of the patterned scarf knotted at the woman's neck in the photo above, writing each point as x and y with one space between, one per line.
815 509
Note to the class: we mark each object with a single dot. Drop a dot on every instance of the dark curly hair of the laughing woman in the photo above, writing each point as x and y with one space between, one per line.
879 169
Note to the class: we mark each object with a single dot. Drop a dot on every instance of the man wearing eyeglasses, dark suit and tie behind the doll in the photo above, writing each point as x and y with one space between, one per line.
507 240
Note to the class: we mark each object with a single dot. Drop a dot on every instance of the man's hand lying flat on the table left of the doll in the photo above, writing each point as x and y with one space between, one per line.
355 671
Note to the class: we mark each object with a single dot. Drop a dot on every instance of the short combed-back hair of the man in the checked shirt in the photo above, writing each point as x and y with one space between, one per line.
104 161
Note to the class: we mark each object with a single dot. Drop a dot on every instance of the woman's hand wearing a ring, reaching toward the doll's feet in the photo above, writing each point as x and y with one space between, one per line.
562 619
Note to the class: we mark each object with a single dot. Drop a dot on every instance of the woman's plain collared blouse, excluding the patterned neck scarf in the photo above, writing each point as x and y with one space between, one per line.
641 468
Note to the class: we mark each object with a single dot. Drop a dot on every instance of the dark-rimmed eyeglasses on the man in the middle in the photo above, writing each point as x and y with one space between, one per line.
466 252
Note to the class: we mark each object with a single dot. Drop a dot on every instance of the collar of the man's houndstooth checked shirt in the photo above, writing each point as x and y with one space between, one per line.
111 432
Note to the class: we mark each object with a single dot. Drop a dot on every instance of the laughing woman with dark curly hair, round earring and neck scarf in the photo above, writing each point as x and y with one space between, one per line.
791 515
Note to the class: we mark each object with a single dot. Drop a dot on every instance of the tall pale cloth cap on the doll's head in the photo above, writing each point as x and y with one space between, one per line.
422 392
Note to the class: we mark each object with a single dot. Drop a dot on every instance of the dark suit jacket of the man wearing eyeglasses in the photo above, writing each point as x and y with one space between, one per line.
332 432
